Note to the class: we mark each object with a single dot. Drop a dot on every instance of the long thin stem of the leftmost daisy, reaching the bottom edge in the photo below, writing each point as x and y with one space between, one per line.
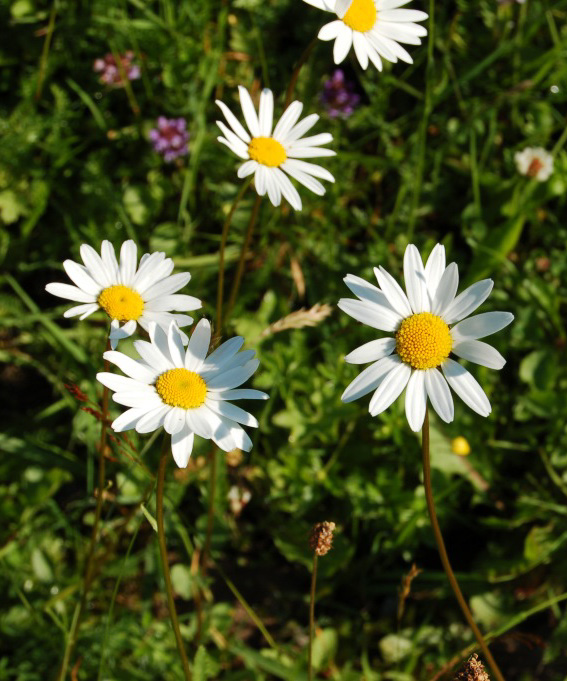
89 566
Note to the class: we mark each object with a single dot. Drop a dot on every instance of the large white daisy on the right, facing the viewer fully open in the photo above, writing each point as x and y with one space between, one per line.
424 323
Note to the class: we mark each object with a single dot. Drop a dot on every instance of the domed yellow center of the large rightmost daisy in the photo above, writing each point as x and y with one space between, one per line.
423 341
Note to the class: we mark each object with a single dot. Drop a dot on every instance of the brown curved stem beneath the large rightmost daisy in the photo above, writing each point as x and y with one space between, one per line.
443 552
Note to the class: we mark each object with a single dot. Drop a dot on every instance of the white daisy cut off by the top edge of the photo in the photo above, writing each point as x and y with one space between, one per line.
375 28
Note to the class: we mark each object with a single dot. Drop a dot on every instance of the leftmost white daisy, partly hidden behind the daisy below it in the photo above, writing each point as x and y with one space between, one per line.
129 293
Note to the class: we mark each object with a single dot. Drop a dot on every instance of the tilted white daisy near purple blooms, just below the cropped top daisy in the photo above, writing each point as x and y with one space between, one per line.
270 154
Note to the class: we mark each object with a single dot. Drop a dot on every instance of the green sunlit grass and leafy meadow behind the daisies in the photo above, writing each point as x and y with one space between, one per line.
427 157
